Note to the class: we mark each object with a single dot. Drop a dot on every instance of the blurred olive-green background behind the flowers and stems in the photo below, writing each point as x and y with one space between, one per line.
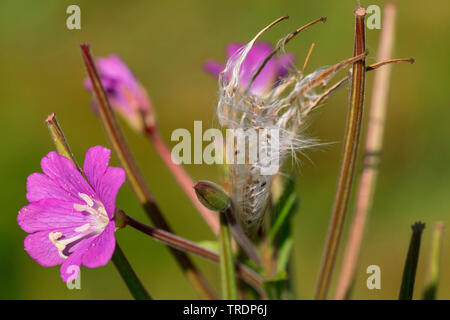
166 43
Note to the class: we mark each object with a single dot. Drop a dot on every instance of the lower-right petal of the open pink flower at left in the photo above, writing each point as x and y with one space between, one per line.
101 248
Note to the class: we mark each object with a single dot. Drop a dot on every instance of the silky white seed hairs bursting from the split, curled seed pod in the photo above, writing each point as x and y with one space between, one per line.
284 107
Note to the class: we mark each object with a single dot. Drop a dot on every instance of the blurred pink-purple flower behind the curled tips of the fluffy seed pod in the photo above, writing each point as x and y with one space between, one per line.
276 67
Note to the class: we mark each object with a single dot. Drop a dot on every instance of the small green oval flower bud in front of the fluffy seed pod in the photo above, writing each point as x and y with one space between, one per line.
212 196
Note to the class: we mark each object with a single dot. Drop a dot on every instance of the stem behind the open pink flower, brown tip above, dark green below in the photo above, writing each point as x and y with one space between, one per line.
120 261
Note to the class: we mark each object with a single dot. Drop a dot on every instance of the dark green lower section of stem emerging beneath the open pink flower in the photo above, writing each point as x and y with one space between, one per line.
128 275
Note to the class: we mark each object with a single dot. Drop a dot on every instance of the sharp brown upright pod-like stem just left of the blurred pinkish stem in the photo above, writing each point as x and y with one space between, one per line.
351 143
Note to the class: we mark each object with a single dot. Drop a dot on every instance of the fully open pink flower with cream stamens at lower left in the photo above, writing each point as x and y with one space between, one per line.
70 220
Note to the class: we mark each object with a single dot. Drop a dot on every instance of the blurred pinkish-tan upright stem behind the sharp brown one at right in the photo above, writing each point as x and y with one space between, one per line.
373 149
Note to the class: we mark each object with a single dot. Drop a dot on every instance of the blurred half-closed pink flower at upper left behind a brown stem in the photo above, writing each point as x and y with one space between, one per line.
125 93
